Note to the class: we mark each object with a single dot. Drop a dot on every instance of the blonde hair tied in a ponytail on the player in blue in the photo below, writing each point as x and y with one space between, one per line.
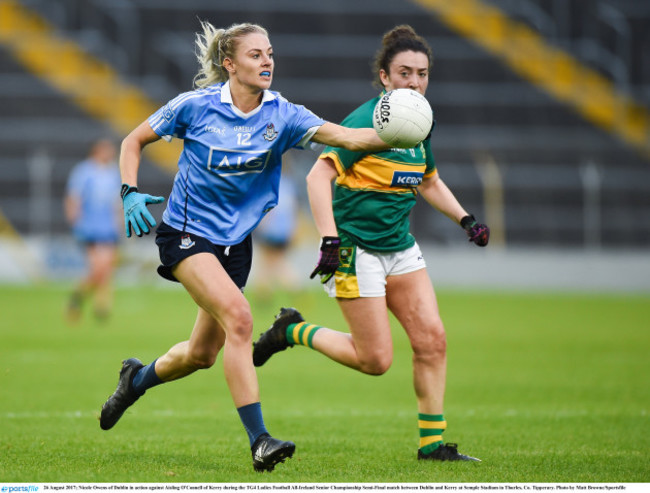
214 46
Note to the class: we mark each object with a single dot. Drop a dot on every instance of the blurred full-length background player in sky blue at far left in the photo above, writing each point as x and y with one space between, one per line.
93 210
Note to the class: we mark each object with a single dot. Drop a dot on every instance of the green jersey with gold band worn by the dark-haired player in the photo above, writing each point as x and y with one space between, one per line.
375 192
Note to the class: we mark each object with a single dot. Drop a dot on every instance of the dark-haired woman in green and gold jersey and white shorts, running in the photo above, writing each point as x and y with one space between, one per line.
369 260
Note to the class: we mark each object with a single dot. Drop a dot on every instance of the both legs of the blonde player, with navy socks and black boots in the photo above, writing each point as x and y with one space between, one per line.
224 320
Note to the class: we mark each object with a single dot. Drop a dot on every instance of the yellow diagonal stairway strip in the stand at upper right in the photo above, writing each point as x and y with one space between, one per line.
557 72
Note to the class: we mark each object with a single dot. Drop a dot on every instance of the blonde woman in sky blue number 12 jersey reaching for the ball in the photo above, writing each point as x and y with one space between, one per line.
234 131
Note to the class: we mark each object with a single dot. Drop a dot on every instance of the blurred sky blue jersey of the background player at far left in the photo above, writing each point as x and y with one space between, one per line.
97 189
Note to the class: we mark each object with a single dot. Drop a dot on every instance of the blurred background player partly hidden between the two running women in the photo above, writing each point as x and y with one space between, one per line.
274 236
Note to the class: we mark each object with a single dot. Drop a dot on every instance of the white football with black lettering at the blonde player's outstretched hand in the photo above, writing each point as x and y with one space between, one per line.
402 118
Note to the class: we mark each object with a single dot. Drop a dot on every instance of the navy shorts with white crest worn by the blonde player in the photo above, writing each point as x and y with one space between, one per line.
175 245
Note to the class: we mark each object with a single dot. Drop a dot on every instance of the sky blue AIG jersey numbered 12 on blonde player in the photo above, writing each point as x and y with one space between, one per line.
229 170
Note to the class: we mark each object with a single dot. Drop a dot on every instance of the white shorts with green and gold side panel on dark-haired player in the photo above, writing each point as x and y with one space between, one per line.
362 273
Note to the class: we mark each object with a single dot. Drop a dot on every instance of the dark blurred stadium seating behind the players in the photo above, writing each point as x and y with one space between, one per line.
510 150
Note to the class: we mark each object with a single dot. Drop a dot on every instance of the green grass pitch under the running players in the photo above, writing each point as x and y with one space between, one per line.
542 387
